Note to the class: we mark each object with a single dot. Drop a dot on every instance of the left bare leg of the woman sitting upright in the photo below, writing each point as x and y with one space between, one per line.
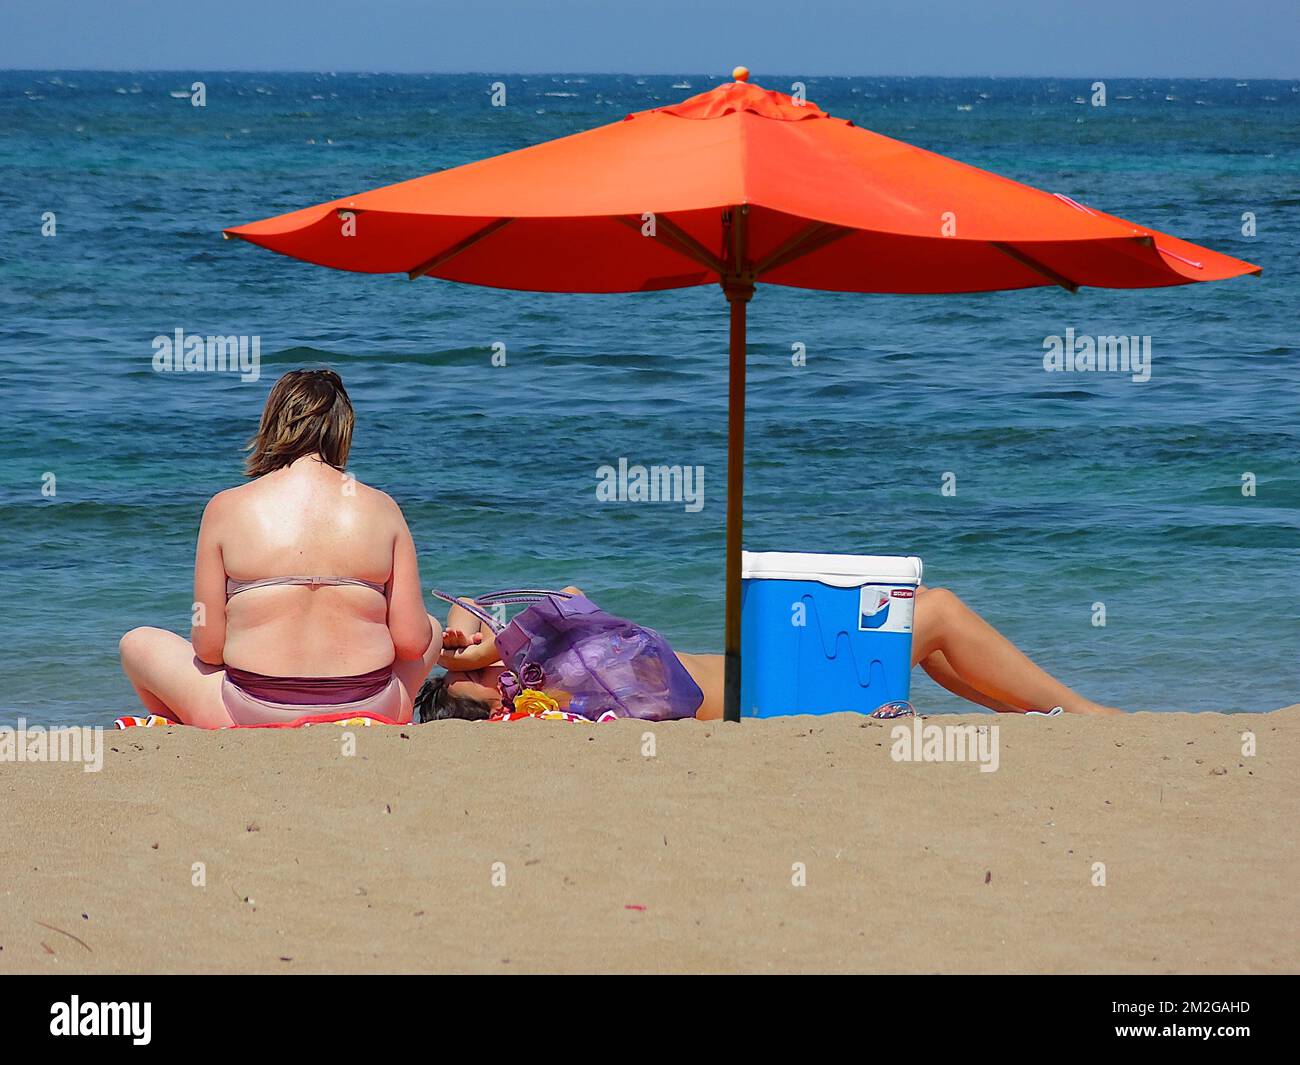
171 681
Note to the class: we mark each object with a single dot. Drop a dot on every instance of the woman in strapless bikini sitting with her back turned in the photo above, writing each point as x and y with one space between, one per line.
307 594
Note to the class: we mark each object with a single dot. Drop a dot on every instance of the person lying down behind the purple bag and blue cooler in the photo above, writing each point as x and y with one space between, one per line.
952 643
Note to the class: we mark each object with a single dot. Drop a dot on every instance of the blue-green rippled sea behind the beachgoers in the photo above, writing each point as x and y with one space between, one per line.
1072 490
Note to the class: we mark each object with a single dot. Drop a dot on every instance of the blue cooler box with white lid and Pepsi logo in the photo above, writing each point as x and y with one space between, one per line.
824 634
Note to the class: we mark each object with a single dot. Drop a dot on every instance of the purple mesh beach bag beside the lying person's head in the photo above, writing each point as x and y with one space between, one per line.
590 661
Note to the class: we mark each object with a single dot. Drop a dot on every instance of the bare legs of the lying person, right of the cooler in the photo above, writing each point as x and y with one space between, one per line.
981 659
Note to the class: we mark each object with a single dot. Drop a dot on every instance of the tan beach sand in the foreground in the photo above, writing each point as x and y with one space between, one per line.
686 861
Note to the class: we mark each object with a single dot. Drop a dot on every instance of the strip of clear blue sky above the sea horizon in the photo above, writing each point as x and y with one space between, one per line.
1008 38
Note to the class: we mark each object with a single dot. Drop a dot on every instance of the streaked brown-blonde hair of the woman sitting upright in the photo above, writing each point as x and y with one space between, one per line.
307 414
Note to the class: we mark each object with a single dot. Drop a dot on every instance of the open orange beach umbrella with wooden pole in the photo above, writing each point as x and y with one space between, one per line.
735 187
